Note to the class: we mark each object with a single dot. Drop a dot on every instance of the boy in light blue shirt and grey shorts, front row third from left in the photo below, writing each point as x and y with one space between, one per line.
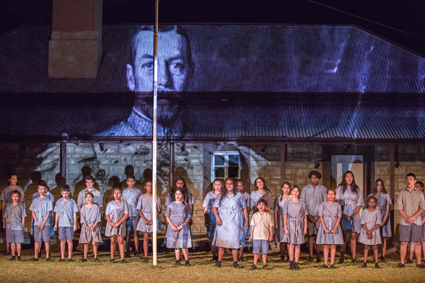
66 212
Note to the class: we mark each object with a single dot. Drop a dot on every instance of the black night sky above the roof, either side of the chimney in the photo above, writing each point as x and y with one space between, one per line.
408 16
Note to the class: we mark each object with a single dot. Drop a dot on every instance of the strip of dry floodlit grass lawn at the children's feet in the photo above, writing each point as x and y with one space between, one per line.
202 270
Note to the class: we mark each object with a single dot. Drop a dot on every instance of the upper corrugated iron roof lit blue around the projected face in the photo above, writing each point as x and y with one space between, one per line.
259 58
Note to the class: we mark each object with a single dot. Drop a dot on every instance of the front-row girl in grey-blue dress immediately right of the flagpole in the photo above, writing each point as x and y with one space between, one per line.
178 214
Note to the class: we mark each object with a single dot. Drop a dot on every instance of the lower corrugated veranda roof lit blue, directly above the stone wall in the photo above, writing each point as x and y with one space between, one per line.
219 122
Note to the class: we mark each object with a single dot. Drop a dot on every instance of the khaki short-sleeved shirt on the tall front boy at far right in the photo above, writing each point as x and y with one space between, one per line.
410 202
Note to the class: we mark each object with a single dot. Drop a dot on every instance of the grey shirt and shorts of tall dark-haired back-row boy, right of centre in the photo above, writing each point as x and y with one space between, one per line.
313 197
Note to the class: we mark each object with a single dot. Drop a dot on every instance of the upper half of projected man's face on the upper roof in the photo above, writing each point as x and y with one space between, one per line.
173 64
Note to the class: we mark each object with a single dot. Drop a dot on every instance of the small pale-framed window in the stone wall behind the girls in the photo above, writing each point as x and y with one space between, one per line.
225 164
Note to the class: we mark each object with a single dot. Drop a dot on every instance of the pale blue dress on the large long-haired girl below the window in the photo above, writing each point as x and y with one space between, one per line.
230 210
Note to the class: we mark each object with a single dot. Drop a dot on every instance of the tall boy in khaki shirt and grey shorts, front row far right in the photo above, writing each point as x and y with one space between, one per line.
410 204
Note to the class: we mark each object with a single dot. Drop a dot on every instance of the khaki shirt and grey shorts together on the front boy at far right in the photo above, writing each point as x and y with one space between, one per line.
410 202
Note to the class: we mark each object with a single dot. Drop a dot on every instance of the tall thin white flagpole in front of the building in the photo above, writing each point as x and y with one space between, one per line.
154 142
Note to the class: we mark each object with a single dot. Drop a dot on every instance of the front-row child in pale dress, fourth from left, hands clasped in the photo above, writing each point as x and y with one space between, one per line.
90 232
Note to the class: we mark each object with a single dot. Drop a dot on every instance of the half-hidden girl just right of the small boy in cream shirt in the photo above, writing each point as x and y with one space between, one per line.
280 236
